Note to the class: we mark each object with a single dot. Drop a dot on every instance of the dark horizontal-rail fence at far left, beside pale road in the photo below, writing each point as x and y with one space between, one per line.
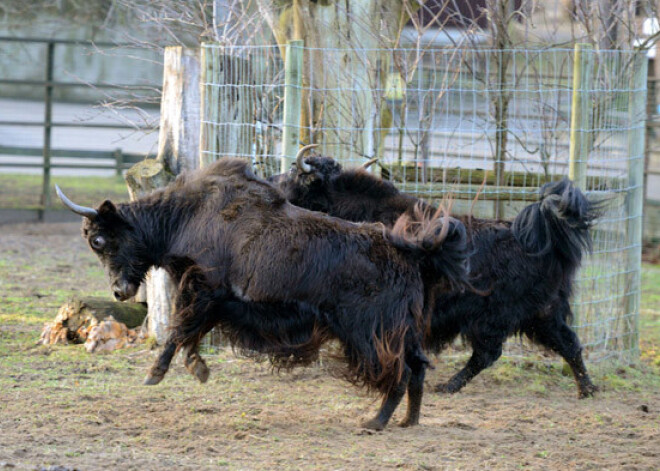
53 106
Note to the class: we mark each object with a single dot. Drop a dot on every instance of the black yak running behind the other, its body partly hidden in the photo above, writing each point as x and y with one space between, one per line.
527 266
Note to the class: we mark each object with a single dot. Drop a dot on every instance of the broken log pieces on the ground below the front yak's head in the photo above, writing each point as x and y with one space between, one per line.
101 325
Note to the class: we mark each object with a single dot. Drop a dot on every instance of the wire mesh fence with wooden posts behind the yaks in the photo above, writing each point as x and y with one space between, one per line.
444 121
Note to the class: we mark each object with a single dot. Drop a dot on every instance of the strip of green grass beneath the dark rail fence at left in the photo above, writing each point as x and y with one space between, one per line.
24 191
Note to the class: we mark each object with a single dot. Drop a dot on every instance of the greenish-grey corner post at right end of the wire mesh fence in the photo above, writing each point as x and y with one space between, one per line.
635 198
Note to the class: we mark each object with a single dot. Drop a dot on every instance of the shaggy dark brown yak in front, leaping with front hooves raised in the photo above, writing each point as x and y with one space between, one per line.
281 280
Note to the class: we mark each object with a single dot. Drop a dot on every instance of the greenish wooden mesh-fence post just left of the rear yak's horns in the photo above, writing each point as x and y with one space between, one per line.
292 100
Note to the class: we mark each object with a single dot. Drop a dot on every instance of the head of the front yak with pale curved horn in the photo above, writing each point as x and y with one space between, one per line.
117 244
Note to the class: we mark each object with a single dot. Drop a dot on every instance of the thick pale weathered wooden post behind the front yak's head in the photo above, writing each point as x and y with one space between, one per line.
178 150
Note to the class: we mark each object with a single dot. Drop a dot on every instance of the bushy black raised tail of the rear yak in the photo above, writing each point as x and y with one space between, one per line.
558 223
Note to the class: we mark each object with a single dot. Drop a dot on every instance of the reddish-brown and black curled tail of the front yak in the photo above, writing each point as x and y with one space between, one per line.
439 241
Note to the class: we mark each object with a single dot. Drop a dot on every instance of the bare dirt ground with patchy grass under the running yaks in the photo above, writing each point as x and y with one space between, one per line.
61 408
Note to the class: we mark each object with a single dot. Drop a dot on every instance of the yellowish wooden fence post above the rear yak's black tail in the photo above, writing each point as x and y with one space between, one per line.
580 138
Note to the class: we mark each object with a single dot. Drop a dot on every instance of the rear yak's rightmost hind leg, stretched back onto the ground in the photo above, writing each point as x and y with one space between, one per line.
554 334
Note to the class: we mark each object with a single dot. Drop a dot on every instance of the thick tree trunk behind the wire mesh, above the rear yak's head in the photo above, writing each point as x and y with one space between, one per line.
346 36
